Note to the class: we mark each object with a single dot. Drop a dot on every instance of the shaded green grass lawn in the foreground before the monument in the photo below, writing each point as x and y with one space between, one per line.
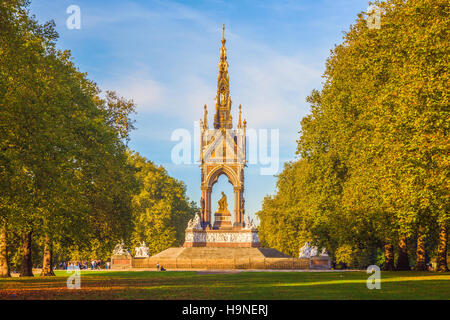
241 286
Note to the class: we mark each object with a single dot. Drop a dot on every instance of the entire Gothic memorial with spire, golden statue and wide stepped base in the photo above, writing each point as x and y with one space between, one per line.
229 241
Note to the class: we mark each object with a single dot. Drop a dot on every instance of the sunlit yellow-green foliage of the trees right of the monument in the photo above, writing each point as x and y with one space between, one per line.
374 149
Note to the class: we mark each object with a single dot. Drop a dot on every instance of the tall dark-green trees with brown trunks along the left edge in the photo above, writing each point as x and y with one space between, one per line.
63 163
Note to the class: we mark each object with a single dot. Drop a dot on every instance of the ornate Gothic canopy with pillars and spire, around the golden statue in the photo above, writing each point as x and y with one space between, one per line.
222 149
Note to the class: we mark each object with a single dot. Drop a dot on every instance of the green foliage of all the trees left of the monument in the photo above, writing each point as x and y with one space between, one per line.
65 170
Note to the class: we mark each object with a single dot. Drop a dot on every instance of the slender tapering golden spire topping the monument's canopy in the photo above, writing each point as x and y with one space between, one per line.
222 118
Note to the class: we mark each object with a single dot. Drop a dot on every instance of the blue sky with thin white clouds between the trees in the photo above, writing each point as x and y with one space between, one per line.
164 55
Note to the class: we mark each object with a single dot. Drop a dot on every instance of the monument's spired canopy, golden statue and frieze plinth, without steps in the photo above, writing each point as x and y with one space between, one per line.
222 152
